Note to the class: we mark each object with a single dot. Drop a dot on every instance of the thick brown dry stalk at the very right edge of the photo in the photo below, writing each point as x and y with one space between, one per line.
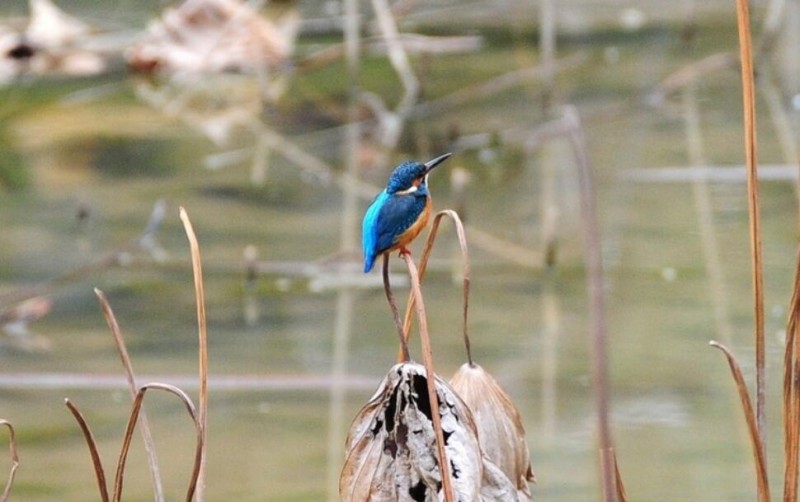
791 395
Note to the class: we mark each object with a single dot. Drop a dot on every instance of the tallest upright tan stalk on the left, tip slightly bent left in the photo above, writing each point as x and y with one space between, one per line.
202 416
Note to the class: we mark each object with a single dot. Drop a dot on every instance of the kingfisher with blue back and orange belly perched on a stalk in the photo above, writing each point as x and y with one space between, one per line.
400 212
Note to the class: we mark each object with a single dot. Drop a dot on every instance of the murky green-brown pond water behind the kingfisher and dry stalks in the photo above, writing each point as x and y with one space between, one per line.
296 350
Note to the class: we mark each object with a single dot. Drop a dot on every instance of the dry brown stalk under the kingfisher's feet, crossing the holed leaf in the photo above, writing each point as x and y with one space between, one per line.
427 358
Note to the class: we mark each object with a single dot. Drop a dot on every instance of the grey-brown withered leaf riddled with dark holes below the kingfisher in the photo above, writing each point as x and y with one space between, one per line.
391 447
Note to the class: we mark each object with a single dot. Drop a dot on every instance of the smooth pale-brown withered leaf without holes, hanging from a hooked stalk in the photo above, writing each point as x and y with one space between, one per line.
499 425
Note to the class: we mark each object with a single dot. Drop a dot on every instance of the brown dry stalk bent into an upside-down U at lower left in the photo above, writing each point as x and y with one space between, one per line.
194 482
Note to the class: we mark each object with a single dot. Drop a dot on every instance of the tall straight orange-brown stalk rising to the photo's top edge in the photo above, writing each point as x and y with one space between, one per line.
748 102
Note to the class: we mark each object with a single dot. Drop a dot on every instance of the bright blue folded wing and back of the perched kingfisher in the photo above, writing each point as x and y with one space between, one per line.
385 220
